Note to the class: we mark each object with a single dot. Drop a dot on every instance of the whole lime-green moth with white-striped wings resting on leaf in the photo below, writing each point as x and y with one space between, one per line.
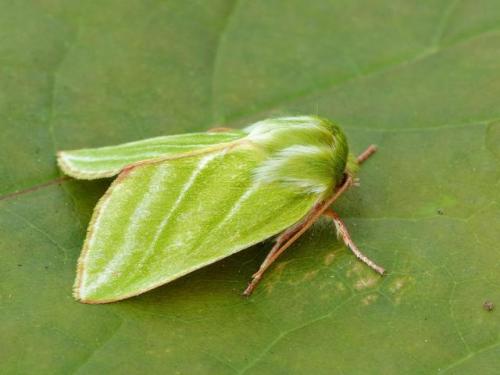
182 202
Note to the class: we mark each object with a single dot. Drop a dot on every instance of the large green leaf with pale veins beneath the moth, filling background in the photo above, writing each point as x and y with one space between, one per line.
420 80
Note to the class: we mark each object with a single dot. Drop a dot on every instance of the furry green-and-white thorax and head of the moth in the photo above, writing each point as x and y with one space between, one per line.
306 153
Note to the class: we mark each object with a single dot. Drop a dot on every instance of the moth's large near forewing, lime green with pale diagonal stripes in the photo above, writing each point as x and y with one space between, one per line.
144 235
